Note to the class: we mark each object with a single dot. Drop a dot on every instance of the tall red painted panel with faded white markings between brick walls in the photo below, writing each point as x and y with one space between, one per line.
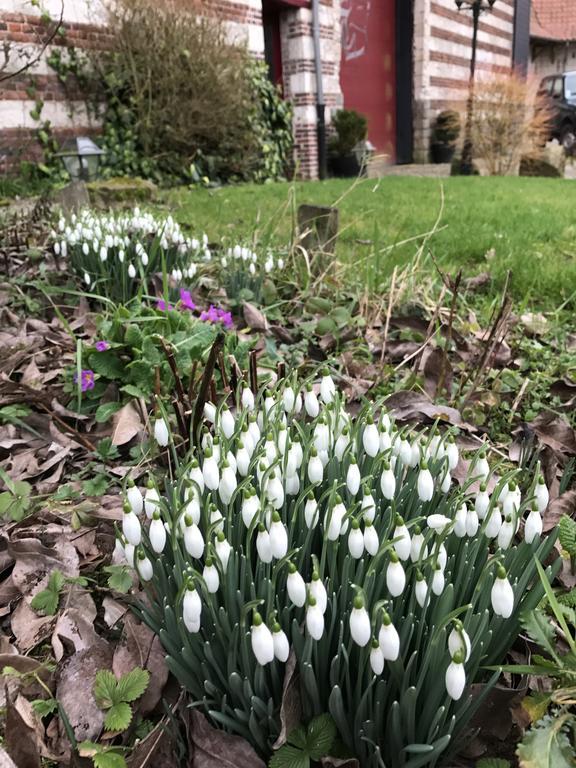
367 74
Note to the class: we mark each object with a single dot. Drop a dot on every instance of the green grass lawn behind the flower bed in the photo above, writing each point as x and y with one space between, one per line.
529 223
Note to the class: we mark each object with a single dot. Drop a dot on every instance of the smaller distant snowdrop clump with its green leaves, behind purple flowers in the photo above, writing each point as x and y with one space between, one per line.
115 254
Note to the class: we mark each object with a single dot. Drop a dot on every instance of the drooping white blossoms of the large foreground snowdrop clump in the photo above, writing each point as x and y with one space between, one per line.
278 472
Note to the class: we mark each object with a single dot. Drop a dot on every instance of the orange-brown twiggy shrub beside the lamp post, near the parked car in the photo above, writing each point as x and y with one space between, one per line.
511 121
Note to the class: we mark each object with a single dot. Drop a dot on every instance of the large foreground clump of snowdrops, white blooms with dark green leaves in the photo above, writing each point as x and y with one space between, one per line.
296 529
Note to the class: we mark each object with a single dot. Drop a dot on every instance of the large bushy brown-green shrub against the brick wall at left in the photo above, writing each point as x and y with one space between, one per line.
179 94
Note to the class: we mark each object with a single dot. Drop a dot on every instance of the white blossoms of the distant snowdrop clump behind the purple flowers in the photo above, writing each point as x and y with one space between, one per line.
128 240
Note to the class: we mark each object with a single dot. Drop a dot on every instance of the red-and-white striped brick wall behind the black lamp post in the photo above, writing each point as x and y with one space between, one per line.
442 50
